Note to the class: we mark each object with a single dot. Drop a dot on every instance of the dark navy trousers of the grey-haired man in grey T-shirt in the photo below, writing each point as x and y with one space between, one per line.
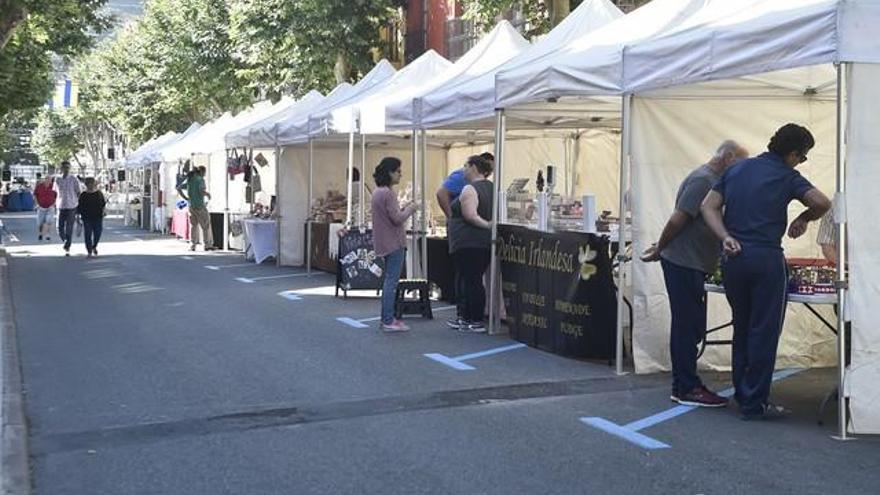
687 303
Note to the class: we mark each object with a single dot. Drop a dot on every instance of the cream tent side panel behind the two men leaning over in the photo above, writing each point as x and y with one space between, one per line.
671 137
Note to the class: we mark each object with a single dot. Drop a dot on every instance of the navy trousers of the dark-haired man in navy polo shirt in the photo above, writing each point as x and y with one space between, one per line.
756 283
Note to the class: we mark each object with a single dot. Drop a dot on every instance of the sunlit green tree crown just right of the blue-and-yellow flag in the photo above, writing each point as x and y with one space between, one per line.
168 69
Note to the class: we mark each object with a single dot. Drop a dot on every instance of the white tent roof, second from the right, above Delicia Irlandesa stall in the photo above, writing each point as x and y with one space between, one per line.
591 65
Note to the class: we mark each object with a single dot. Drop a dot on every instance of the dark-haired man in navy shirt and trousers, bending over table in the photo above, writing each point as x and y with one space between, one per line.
754 195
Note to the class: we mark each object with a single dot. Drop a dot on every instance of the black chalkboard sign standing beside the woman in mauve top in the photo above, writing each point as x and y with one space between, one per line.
358 266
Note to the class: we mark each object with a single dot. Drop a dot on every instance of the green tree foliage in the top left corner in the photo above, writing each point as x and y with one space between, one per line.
31 33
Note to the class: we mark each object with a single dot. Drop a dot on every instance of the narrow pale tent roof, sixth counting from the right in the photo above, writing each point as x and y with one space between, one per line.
297 128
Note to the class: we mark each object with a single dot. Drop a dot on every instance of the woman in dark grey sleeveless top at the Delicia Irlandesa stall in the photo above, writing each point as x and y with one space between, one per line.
470 241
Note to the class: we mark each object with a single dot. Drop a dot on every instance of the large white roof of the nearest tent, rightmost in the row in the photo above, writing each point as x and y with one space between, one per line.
737 38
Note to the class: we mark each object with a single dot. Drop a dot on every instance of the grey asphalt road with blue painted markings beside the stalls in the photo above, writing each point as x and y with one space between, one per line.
147 373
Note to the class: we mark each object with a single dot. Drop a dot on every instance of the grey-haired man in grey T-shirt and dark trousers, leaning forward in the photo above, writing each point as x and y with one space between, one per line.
688 251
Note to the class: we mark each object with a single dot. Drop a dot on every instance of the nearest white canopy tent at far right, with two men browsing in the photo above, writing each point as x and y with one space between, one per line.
753 65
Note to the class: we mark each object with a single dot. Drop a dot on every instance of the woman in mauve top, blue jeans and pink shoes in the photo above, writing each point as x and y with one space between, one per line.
389 236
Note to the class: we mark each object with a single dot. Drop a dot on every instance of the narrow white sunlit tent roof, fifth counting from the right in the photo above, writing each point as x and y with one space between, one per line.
427 66
